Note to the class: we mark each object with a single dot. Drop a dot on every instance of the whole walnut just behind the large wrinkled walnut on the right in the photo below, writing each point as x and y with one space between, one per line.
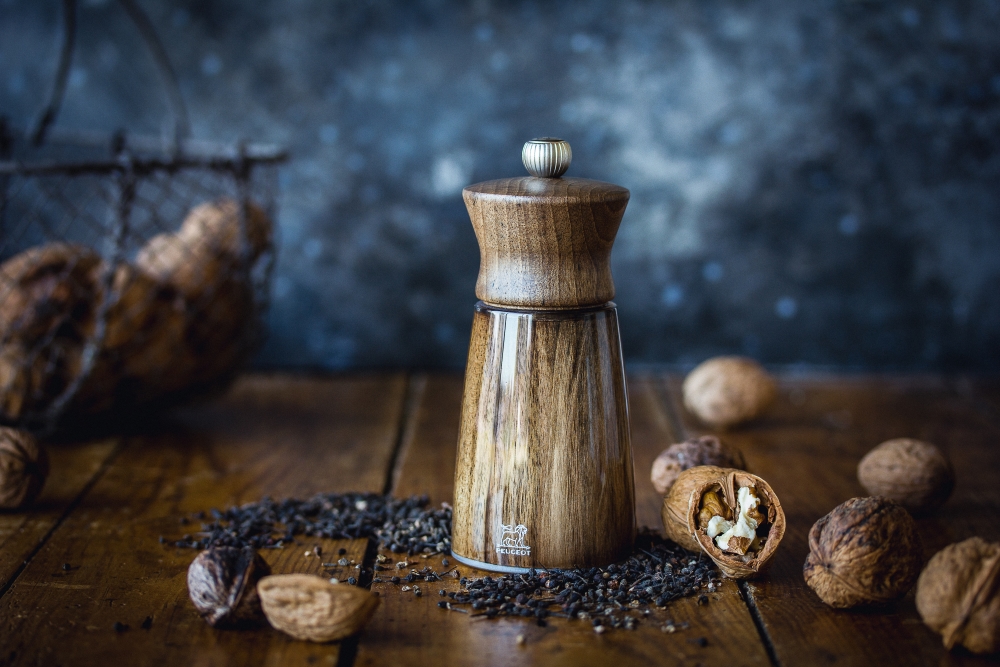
915 474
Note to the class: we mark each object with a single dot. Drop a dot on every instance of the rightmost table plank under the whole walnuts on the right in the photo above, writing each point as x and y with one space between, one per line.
808 448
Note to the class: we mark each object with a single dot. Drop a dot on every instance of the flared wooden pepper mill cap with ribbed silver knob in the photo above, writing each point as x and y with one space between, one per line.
545 241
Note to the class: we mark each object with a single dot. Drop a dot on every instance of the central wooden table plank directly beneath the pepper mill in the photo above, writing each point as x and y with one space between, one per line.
408 630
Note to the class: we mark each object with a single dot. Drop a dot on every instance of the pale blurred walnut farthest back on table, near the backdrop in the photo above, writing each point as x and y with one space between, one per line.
724 391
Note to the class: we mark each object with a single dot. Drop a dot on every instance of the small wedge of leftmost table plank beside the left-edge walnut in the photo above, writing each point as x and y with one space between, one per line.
72 467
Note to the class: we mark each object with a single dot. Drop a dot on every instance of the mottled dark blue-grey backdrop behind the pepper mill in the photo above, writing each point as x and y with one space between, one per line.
812 182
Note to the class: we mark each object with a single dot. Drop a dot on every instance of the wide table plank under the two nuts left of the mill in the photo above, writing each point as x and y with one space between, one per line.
271 435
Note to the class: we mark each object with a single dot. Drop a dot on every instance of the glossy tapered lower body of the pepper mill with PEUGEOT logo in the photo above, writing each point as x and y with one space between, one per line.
544 442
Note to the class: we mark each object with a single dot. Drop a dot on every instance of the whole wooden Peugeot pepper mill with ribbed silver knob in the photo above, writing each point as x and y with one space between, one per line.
543 475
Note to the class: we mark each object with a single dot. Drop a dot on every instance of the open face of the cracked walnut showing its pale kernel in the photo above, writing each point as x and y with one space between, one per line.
738 521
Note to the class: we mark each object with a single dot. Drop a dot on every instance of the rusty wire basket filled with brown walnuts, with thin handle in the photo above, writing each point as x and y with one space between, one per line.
133 272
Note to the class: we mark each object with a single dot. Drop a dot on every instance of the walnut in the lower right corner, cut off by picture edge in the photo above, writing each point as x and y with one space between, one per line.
958 595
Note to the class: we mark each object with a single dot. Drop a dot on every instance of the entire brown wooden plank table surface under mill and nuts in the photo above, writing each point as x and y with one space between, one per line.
108 501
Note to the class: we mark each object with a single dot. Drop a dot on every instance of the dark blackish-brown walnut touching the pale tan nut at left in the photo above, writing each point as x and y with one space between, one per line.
222 583
